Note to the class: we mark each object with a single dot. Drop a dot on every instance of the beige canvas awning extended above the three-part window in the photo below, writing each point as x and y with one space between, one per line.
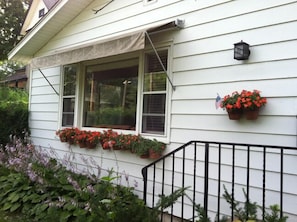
114 46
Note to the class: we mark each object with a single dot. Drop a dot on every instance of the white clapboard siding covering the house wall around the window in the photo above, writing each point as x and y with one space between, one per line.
202 66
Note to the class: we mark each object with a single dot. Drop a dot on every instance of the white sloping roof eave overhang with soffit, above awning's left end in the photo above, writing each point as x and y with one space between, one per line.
60 15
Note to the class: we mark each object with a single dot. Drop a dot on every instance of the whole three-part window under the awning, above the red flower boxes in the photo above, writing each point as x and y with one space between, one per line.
121 92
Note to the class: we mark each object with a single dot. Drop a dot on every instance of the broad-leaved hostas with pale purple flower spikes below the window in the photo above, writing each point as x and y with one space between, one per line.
40 189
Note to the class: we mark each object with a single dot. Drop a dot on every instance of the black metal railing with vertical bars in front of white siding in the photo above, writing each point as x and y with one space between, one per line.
208 169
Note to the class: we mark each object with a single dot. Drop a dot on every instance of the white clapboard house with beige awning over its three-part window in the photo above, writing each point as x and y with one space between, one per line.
83 54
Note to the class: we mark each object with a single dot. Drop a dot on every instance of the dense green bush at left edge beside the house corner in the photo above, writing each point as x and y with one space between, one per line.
13 114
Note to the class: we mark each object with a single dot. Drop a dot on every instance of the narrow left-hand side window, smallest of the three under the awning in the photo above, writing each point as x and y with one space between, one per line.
69 95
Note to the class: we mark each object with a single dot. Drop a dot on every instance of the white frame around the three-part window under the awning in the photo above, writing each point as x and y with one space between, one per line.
80 84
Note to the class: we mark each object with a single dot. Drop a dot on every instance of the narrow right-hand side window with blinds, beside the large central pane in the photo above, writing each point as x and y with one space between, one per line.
154 94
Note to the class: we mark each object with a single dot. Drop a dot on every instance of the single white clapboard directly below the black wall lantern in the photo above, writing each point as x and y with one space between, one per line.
236 72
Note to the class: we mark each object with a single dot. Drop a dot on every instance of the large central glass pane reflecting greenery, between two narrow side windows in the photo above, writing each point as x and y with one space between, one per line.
110 97
